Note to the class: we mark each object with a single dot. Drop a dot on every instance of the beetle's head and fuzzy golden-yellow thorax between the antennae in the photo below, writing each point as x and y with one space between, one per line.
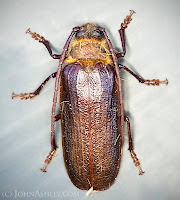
89 47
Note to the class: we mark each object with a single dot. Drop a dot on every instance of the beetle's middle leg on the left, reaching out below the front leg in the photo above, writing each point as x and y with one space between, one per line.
33 94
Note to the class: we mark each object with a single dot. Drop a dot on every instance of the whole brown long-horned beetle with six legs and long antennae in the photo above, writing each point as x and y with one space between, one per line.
91 105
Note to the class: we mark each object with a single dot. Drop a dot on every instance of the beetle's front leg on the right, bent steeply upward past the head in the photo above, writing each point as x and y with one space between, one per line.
121 32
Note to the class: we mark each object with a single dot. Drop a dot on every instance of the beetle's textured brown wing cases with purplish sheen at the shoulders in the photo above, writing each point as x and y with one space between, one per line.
90 124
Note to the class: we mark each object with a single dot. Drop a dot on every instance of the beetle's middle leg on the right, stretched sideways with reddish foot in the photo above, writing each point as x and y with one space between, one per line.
141 80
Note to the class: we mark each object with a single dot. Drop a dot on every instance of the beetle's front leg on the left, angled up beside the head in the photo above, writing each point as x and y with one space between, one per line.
41 39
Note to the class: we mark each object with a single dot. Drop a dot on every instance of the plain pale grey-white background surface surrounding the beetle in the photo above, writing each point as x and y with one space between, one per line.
152 51
